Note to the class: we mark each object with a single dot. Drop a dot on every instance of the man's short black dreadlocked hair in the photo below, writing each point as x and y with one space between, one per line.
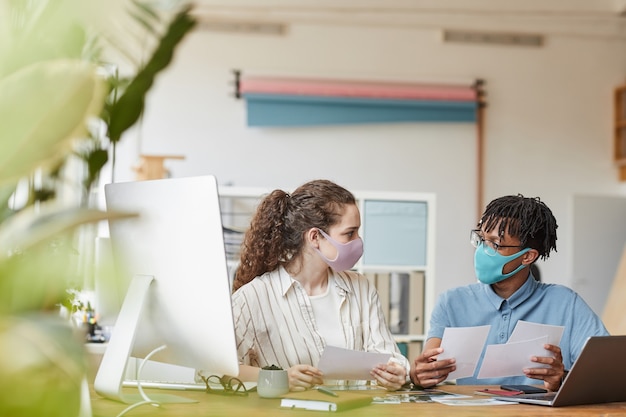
527 218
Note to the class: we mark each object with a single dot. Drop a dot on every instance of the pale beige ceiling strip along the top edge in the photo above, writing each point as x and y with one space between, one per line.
604 18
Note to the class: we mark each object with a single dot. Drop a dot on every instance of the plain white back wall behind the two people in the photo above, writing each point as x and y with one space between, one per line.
548 126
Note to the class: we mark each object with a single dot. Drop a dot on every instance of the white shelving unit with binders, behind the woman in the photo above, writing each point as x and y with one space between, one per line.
398 230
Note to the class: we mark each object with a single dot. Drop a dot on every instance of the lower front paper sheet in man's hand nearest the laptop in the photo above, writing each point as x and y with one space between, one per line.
510 359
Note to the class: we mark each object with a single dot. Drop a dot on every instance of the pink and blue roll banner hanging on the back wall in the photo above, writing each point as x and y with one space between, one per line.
276 102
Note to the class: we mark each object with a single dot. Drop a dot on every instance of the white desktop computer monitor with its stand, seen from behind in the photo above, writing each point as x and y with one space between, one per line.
171 261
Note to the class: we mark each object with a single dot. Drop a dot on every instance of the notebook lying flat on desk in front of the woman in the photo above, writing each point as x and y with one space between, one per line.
315 400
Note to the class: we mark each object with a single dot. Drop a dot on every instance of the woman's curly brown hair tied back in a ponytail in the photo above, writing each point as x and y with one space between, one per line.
276 233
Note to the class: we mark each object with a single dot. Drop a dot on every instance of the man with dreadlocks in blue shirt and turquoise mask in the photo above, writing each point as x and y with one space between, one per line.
513 232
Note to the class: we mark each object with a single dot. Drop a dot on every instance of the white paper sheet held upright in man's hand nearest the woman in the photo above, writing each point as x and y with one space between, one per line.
465 344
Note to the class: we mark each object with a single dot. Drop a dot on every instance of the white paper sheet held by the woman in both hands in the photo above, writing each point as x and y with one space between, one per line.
339 363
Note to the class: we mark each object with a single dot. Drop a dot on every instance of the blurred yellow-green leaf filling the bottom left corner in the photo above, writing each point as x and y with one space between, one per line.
43 367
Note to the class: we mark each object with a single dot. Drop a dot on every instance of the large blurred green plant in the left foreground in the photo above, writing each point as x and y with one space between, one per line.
51 91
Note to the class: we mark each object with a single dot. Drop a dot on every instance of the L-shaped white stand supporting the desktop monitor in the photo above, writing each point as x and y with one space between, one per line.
112 370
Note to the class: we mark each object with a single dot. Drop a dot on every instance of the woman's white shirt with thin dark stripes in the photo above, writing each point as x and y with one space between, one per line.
274 321
